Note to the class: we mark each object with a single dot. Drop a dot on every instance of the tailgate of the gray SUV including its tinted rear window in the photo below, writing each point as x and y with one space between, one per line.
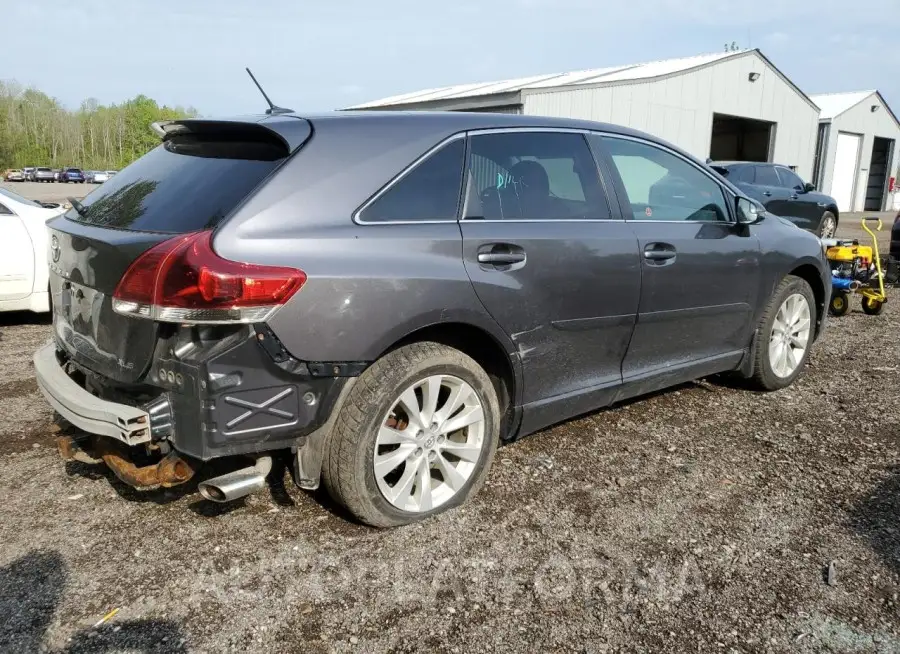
189 183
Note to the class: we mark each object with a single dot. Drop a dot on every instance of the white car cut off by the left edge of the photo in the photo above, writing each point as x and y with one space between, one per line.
24 269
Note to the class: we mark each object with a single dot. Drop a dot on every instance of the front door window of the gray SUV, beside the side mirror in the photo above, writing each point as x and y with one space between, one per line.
664 187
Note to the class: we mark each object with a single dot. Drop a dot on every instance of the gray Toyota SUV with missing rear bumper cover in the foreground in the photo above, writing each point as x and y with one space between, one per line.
381 298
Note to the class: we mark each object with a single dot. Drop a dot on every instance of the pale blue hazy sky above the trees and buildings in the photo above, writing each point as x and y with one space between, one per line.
312 55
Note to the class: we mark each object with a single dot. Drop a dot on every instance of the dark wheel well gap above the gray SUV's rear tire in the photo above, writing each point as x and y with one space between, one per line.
482 347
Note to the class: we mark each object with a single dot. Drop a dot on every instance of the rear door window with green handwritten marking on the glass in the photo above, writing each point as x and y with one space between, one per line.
528 175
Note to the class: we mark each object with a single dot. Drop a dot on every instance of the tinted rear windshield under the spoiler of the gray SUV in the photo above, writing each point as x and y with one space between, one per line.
190 182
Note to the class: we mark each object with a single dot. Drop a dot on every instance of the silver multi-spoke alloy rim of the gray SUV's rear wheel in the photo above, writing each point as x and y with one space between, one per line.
429 443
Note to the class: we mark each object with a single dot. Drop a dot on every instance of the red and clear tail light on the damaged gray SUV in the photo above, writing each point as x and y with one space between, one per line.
183 280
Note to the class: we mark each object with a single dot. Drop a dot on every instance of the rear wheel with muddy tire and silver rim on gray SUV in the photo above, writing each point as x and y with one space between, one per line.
374 419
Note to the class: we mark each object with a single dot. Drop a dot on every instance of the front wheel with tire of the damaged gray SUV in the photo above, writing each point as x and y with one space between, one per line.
785 335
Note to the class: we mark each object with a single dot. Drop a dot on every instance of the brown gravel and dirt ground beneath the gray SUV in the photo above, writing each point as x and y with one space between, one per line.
703 519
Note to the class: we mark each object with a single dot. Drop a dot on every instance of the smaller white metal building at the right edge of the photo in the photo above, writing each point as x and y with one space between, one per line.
856 151
